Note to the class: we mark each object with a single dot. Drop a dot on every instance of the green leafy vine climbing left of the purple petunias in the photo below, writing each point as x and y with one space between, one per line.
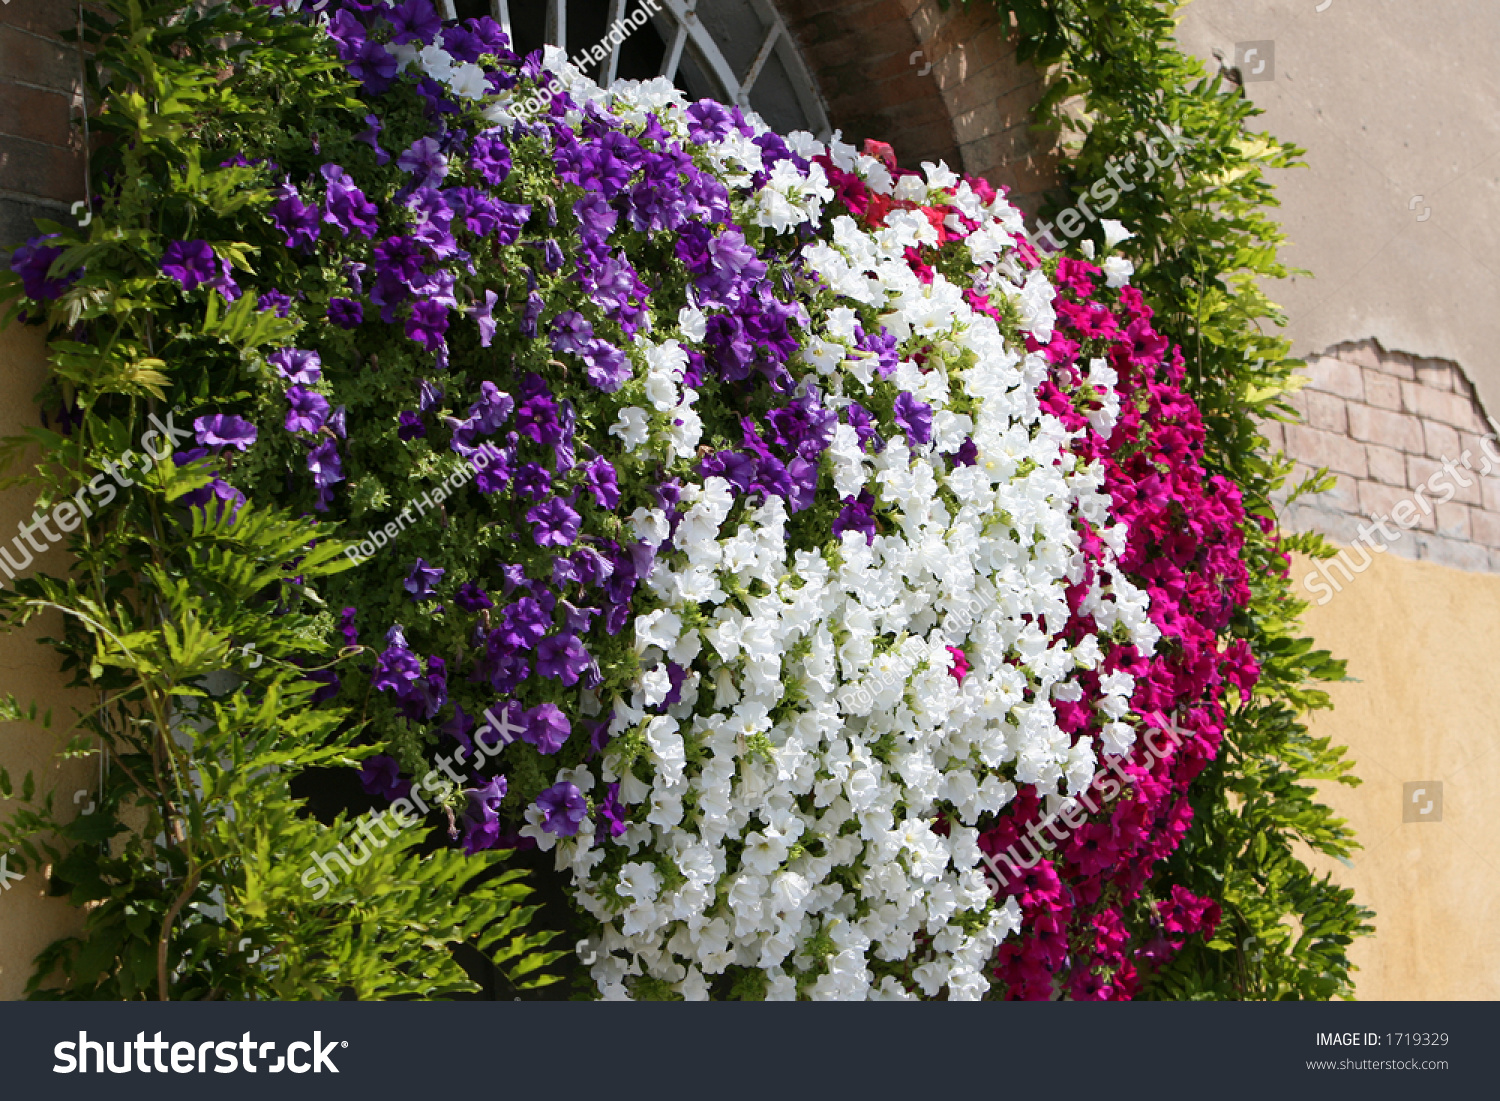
196 632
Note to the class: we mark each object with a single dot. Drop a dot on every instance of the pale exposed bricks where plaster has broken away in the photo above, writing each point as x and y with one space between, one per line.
1387 422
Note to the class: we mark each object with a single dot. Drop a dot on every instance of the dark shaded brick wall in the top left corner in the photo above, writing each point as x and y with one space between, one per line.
41 149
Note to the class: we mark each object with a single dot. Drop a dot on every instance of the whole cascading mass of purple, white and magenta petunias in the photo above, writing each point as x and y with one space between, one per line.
814 533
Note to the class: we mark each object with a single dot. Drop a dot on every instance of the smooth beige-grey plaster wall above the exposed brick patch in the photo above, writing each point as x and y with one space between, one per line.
1396 212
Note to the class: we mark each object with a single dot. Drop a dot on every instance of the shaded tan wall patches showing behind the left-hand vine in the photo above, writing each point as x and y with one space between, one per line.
29 920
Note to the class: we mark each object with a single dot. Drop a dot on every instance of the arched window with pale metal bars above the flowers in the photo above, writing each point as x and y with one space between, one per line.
736 52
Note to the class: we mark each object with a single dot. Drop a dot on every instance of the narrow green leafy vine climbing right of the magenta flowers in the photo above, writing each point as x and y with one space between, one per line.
1204 247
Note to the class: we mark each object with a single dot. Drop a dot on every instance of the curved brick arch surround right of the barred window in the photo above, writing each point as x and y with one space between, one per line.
937 85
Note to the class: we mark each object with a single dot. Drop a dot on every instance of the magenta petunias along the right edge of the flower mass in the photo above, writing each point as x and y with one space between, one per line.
1085 929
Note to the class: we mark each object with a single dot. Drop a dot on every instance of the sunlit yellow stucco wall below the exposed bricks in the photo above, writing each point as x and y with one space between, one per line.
1421 641
